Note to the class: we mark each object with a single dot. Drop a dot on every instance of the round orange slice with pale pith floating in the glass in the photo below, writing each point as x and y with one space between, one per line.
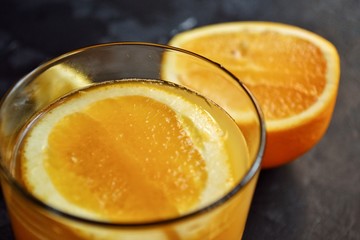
125 152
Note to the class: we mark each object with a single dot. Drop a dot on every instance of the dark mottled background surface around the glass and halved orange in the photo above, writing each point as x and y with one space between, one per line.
315 197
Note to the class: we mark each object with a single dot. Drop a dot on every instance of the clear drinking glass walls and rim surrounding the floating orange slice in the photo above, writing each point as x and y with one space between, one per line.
223 218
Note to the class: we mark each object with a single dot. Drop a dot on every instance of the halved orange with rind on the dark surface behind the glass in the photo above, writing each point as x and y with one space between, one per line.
293 73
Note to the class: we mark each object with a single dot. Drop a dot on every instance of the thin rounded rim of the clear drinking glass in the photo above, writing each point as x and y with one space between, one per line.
249 174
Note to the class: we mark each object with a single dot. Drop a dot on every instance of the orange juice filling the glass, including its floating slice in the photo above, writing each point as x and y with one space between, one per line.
110 158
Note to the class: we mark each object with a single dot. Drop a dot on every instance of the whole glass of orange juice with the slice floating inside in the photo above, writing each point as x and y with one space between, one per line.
129 141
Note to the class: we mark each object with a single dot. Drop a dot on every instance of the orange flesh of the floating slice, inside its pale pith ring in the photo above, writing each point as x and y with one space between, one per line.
126 158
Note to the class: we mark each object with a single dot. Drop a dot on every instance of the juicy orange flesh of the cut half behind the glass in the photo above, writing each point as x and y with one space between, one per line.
285 73
